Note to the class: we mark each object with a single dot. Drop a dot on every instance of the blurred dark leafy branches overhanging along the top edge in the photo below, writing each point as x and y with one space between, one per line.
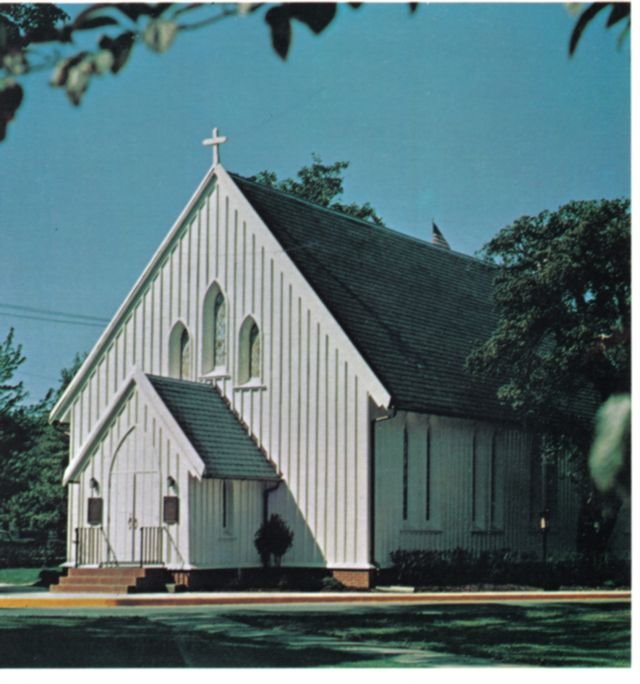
36 37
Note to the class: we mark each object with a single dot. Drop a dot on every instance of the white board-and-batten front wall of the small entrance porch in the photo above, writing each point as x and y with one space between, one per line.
134 444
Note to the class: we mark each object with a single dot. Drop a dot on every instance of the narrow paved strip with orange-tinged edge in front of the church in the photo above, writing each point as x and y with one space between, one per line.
44 599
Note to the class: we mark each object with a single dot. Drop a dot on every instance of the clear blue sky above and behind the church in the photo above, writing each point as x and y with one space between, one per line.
470 114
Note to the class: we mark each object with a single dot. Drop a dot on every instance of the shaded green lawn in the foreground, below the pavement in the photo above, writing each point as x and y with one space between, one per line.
527 633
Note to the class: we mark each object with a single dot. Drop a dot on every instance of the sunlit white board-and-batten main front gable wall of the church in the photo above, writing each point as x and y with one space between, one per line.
309 407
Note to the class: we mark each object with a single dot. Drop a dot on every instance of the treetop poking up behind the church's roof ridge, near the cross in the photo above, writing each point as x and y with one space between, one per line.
320 183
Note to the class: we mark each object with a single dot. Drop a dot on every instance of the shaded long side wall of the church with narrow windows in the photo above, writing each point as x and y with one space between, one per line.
446 483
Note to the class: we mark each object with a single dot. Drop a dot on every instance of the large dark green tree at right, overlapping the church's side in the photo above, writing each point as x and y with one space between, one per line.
562 342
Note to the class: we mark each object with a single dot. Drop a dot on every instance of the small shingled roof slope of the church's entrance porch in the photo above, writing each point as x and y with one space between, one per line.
213 430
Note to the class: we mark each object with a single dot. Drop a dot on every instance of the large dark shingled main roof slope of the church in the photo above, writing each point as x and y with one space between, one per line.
413 310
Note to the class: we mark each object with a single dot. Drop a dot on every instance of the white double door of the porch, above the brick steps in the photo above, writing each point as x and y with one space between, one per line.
134 503
